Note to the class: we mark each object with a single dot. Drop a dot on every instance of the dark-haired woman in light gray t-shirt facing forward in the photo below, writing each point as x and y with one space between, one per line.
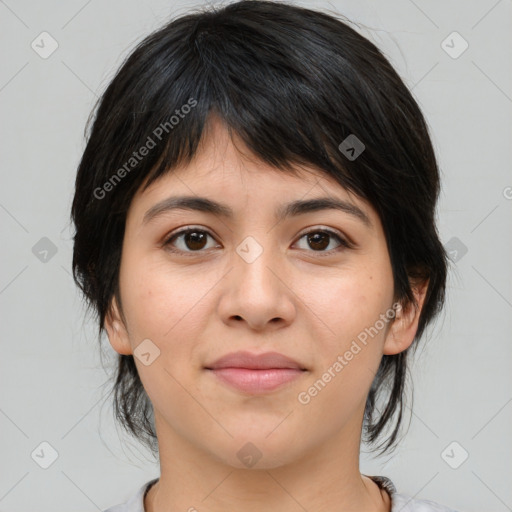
255 228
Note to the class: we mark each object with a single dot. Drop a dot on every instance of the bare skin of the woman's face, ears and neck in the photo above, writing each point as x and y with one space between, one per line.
292 300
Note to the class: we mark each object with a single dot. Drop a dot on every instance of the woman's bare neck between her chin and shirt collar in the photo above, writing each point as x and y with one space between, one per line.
320 481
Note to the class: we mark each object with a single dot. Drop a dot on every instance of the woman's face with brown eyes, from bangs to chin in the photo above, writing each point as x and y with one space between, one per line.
315 286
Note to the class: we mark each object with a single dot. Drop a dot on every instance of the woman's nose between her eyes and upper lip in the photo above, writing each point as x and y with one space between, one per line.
258 289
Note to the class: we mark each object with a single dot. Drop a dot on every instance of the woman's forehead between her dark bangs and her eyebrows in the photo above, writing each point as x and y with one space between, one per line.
224 170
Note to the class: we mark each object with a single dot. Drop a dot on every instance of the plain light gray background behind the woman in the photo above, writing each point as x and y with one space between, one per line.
51 374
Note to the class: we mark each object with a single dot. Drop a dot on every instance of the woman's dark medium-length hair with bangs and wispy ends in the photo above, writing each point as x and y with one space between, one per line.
292 84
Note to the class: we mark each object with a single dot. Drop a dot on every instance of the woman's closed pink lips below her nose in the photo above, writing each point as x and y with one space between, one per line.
256 373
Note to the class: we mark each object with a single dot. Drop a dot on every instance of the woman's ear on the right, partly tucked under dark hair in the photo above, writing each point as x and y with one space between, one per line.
405 324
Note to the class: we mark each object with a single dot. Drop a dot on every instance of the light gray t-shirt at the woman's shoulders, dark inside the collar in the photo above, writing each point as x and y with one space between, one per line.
399 502
